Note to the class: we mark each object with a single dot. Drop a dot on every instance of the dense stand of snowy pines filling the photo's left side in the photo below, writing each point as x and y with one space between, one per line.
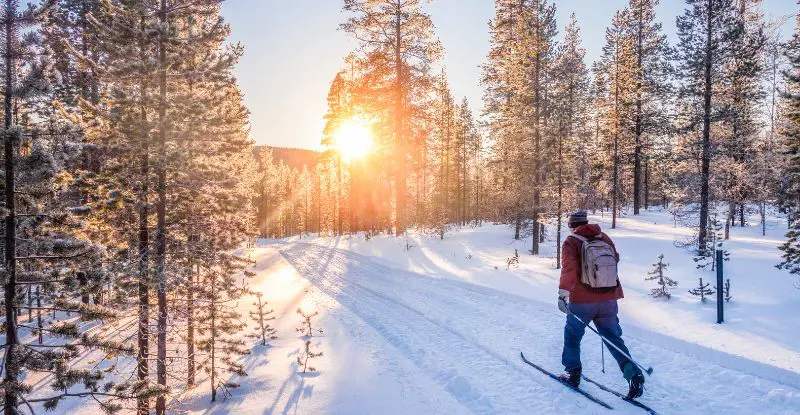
127 186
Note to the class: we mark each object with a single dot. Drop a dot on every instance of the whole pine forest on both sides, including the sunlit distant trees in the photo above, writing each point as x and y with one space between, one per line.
132 188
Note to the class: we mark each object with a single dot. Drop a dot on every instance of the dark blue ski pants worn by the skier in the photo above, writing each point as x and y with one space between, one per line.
604 316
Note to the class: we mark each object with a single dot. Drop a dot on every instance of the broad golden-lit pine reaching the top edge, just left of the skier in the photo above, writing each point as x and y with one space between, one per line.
518 101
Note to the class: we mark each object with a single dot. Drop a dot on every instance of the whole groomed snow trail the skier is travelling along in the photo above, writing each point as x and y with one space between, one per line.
467 340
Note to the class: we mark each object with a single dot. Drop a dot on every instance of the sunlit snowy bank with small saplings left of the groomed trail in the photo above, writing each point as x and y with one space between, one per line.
358 372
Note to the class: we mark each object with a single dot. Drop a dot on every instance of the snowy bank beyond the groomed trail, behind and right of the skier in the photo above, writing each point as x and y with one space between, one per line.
759 324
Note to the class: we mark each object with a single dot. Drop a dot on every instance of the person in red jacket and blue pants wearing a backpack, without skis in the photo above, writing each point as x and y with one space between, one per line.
589 289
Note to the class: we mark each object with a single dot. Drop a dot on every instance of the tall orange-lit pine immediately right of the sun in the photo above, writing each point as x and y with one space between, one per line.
399 46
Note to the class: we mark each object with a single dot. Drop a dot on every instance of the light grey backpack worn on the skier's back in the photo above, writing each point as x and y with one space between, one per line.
599 263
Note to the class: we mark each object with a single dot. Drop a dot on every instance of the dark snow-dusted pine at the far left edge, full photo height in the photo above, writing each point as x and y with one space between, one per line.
45 249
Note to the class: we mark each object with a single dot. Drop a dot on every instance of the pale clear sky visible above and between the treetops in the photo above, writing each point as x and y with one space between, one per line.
293 49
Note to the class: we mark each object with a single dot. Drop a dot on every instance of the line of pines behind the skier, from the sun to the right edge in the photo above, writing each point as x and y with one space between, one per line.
702 126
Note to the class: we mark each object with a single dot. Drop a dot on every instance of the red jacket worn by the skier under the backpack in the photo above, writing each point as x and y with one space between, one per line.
571 269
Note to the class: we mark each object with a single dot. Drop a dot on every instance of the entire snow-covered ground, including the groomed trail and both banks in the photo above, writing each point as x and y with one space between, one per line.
438 328
